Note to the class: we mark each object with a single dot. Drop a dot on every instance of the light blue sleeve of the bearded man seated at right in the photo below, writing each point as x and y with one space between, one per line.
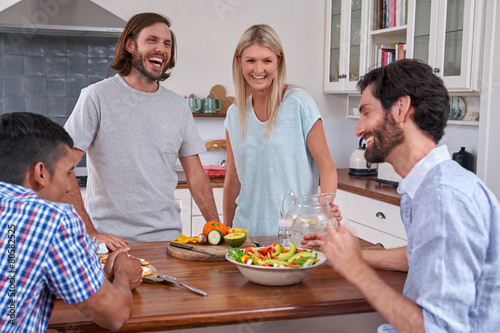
446 257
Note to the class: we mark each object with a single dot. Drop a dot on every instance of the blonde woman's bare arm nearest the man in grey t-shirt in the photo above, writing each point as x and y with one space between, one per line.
231 186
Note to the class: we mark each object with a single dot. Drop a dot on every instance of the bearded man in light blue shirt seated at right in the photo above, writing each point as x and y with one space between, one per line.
451 218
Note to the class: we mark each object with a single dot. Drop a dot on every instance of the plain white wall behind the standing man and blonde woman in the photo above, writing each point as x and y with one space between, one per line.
207 32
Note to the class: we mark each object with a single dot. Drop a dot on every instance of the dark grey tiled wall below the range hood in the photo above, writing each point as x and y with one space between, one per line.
45 74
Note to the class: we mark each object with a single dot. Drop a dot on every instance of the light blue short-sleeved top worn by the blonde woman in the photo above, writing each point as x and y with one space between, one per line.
269 167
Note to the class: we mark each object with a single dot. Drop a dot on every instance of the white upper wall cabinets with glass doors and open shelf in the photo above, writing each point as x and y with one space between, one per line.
446 34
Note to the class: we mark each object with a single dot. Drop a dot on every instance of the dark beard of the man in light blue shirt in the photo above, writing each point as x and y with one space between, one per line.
386 137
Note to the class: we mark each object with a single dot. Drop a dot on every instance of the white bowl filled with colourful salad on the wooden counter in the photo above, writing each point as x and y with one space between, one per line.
281 267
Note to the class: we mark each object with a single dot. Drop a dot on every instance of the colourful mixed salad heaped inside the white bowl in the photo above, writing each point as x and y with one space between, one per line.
274 255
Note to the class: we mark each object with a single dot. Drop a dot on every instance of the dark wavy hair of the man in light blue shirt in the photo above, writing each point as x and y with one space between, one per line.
409 77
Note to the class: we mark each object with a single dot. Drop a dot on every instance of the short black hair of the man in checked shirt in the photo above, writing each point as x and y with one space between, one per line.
26 139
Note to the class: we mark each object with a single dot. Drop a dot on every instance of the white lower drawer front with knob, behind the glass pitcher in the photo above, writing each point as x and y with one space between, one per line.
372 220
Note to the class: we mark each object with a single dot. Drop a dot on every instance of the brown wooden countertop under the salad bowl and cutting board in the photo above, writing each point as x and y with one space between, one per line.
232 299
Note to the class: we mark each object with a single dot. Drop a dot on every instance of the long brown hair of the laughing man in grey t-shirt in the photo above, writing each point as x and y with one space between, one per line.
122 59
